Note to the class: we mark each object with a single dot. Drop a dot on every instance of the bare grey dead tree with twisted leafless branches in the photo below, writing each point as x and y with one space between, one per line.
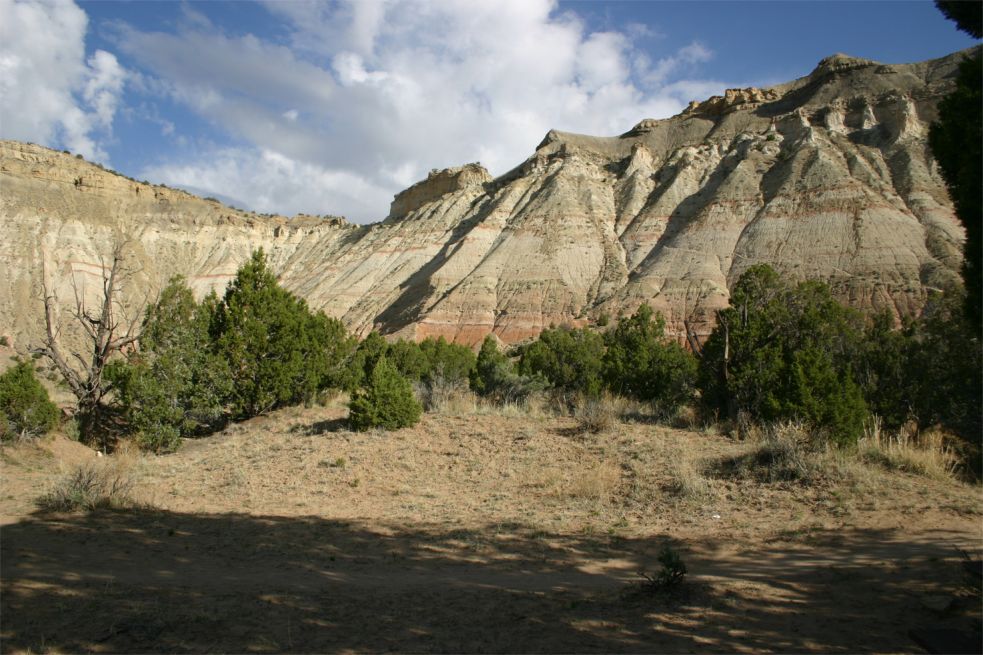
106 335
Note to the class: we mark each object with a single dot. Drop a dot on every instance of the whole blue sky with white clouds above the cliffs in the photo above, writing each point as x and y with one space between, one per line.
323 107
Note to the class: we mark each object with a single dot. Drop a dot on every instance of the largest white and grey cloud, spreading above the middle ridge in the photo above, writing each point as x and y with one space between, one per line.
367 96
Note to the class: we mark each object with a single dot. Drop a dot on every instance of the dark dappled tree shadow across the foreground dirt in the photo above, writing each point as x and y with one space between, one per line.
138 581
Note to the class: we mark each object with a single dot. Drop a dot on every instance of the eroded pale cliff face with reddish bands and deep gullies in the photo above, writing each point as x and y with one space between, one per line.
826 177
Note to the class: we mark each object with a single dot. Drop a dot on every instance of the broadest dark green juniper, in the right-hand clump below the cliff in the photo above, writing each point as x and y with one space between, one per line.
780 353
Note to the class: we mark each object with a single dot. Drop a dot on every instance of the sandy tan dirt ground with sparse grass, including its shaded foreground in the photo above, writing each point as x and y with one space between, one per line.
478 532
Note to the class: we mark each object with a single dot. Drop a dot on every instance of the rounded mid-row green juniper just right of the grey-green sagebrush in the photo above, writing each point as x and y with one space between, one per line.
570 359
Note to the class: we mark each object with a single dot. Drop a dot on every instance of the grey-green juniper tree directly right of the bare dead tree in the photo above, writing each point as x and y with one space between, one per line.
175 385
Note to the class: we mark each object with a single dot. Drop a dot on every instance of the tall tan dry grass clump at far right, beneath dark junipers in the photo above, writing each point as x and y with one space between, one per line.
927 454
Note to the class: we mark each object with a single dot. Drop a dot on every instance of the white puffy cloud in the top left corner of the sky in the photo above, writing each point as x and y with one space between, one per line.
49 92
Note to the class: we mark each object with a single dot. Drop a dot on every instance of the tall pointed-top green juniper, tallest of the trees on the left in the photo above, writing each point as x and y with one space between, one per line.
270 340
